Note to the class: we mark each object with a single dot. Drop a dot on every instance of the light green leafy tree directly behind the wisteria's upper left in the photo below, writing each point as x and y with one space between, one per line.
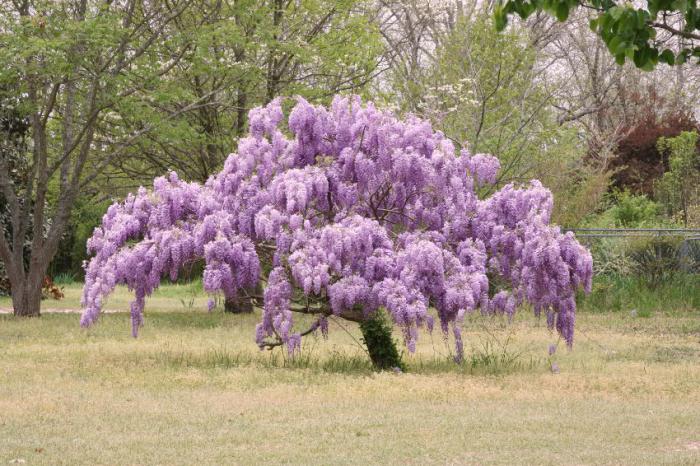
244 54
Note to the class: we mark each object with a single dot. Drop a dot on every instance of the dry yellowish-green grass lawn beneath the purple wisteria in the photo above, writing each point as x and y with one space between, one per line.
194 389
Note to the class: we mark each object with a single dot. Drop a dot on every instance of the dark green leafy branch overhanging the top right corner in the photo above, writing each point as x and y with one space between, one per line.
629 30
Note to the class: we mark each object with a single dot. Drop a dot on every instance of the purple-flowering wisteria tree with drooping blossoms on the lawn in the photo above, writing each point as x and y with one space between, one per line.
348 212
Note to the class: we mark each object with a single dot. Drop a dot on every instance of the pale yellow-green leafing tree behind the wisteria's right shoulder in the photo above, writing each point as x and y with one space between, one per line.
484 88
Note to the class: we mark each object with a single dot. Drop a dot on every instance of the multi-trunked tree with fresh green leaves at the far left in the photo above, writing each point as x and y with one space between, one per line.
73 65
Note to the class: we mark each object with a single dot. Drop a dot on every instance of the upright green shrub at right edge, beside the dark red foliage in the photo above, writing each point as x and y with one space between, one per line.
679 188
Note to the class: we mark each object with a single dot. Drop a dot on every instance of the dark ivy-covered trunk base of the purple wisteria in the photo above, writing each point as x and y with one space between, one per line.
377 337
